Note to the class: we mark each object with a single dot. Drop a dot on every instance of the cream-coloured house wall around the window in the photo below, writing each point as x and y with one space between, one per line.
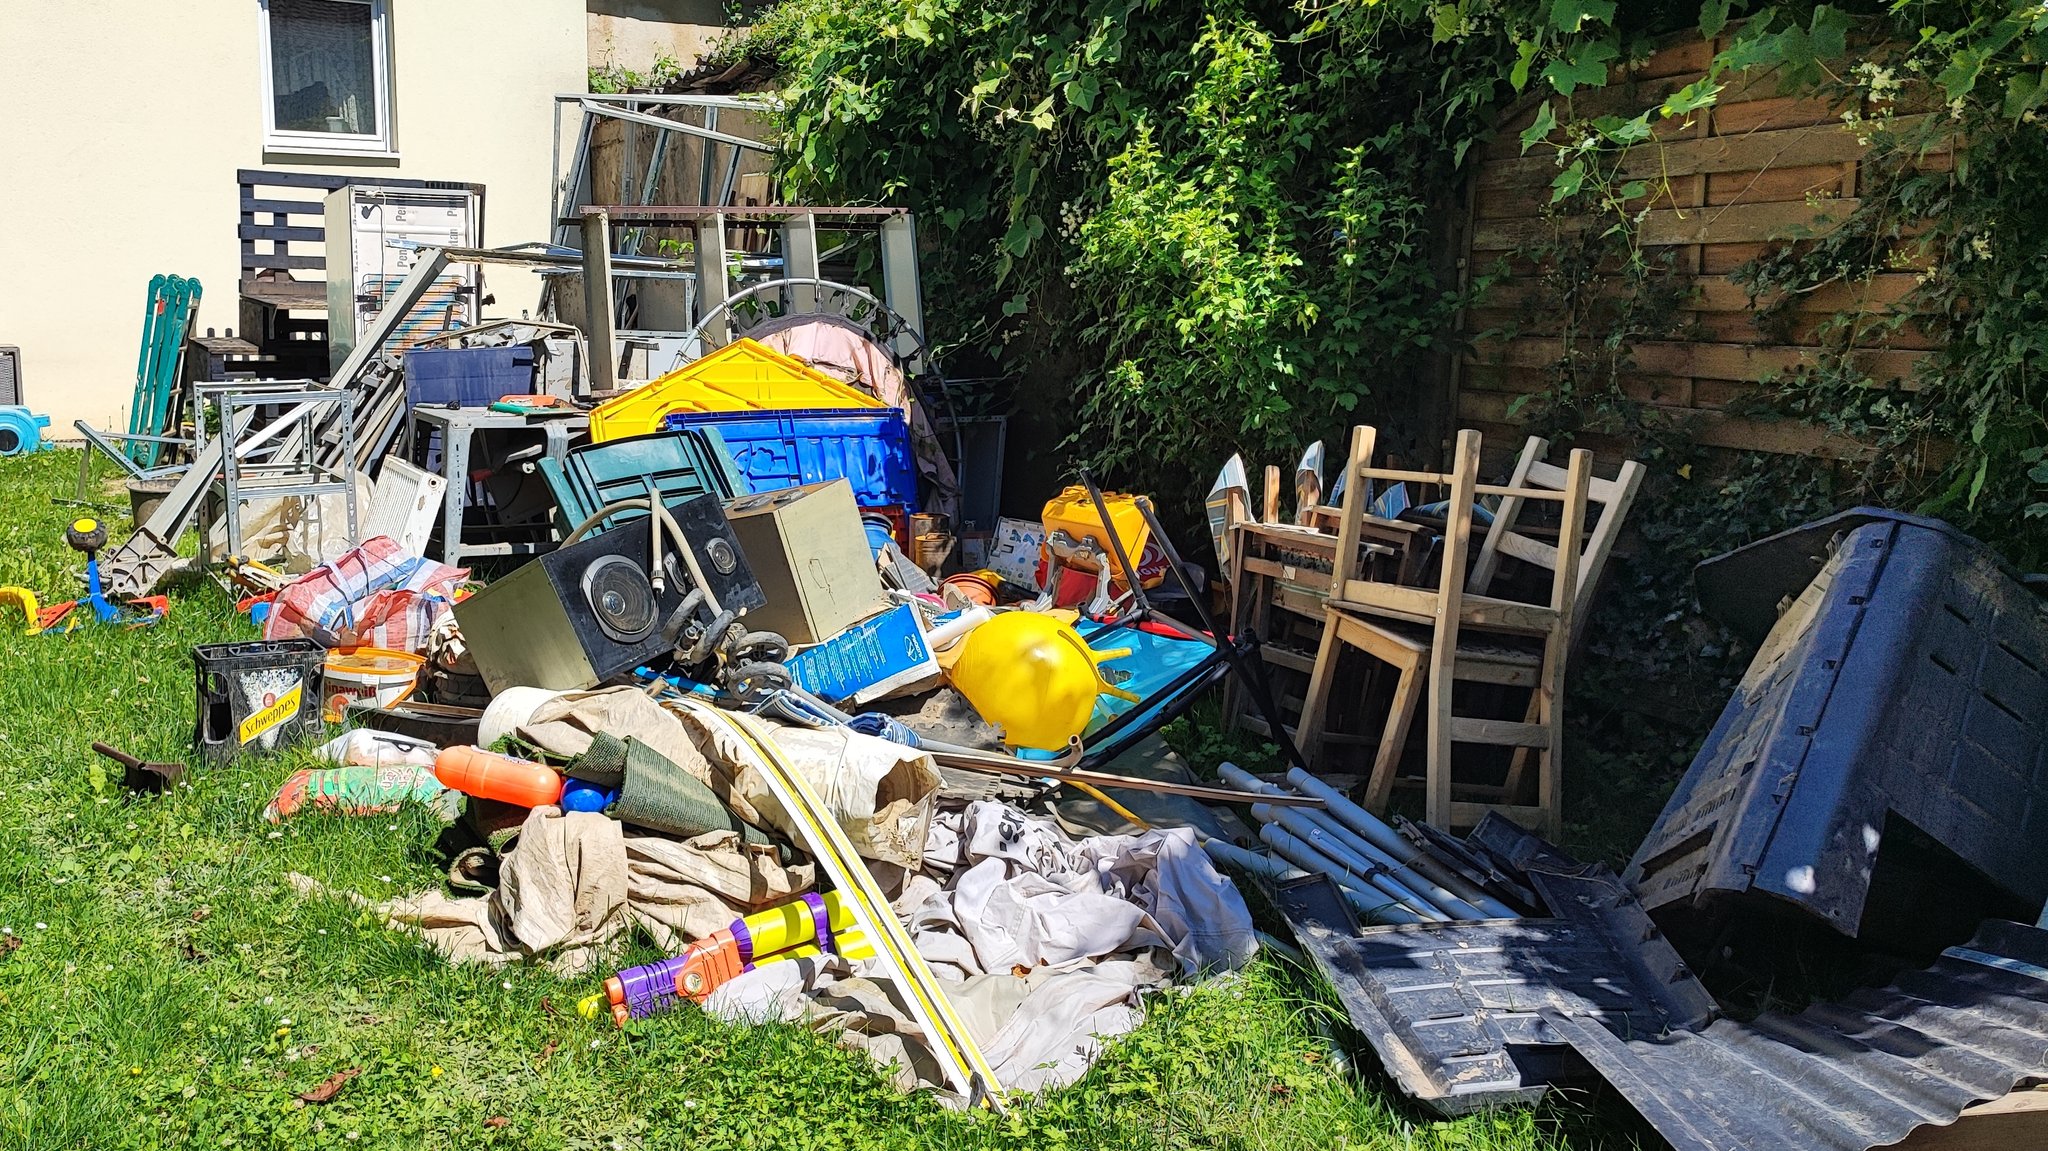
124 124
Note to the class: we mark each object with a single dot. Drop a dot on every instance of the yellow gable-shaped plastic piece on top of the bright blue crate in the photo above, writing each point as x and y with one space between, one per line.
736 378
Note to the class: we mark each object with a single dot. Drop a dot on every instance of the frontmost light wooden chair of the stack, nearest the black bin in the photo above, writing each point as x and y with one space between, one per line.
1459 636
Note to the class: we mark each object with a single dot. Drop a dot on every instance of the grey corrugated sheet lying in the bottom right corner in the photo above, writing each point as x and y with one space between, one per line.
1857 1074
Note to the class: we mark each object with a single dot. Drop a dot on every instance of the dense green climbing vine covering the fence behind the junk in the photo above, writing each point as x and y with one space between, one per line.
1185 230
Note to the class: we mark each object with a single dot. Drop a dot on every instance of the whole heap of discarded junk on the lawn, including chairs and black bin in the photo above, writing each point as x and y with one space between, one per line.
761 679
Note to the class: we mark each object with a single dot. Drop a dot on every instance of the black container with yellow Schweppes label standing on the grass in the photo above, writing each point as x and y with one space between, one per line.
257 697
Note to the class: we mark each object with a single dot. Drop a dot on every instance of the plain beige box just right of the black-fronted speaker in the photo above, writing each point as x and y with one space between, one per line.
812 558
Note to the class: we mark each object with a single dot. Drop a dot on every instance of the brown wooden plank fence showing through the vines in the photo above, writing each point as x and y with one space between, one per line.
1744 177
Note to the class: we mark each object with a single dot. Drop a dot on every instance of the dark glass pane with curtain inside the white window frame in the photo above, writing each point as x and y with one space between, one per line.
325 67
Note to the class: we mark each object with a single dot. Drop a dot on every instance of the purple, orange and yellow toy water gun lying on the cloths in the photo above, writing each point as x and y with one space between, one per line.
802 929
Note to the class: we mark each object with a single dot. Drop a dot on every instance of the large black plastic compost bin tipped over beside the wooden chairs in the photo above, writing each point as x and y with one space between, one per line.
1904 683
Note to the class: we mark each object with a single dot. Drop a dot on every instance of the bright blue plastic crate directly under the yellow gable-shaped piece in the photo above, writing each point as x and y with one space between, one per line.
869 447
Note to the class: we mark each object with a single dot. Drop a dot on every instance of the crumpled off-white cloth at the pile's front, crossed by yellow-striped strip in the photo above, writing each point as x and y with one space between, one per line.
1048 945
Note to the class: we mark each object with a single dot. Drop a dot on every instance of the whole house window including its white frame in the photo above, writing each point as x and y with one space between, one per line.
327 77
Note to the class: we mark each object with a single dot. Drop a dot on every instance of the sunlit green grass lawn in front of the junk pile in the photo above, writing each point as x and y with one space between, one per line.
163 986
